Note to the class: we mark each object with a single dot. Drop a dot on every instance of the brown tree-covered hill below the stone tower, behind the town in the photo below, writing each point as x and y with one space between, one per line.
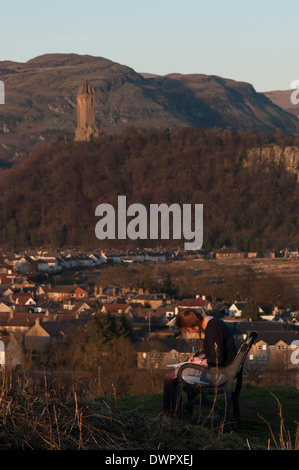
250 202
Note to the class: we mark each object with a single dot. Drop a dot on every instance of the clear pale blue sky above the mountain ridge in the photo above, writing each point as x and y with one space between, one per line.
252 41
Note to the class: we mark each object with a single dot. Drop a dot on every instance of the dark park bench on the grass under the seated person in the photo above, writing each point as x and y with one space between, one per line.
231 388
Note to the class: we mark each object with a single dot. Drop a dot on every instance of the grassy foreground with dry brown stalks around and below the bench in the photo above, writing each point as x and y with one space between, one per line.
43 419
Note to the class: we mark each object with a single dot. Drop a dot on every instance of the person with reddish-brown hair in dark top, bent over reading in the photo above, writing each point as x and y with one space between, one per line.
219 350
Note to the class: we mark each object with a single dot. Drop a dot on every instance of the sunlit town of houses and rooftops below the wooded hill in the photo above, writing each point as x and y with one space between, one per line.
37 309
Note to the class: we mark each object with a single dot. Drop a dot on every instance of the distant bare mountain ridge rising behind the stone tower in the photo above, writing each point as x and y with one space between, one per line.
40 101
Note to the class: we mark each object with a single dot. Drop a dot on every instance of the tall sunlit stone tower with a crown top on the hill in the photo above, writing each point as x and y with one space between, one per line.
86 123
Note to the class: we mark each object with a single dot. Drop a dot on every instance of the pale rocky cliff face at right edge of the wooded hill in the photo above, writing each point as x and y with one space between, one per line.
288 155
